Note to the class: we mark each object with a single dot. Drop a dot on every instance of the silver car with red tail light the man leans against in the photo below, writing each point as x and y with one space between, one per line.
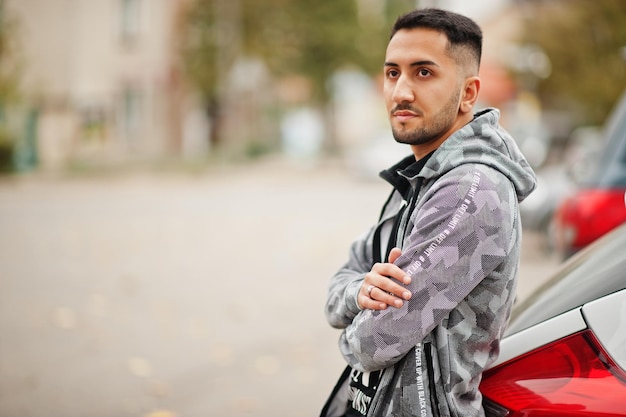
564 352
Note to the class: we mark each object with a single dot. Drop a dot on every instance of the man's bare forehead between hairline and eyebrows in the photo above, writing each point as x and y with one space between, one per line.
420 44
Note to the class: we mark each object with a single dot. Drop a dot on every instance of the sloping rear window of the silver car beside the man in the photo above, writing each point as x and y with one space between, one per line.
596 271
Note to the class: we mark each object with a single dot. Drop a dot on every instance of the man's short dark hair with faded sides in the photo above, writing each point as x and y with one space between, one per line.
463 34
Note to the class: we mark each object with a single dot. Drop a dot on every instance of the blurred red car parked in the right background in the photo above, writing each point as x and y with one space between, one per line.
598 206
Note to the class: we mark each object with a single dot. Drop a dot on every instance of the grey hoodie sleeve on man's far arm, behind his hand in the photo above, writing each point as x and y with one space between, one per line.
341 303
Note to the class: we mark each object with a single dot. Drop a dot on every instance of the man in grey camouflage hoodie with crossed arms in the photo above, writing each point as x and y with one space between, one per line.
426 293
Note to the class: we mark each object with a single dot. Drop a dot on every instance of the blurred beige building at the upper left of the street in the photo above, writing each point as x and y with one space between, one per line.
103 76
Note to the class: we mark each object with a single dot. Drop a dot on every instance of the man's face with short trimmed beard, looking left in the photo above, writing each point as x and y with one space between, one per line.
422 87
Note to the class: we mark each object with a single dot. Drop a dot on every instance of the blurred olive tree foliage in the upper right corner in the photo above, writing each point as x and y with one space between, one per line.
585 42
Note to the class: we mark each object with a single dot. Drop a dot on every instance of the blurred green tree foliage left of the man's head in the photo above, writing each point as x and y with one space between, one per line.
311 39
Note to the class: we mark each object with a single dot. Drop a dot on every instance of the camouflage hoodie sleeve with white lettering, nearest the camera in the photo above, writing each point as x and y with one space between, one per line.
464 228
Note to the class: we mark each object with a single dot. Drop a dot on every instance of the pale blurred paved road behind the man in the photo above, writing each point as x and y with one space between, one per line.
178 294
